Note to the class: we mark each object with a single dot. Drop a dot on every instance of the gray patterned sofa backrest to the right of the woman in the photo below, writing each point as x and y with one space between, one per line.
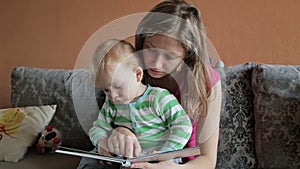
260 118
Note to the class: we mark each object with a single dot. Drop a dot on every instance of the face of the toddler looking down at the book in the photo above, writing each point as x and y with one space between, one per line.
119 83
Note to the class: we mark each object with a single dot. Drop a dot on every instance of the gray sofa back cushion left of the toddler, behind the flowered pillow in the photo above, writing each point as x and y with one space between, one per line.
37 86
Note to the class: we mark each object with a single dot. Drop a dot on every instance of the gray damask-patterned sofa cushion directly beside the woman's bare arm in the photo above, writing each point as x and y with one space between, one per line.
236 143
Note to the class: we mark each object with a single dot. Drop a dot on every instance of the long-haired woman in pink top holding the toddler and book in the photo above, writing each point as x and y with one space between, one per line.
172 43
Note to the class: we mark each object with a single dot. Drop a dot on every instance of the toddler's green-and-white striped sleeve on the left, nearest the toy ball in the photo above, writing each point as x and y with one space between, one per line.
101 127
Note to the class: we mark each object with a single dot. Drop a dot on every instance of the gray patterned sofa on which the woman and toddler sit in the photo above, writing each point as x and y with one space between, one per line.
259 124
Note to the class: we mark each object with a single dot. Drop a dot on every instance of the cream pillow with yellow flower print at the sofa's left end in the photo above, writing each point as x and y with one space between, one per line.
19 128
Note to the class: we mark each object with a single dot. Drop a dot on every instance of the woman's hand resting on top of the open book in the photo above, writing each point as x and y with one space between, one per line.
123 142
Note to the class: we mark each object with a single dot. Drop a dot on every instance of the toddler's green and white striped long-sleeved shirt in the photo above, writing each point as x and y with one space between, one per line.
156 118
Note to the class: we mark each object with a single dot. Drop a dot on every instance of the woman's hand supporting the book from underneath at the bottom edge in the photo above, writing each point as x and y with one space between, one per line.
163 164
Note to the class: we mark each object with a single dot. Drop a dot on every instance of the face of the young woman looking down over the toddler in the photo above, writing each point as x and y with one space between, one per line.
162 55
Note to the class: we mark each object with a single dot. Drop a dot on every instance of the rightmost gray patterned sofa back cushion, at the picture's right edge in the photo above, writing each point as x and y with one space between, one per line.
277 114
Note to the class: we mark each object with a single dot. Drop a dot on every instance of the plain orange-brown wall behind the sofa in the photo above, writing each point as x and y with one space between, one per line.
51 33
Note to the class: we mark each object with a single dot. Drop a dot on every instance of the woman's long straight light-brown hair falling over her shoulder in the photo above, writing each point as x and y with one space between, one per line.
177 18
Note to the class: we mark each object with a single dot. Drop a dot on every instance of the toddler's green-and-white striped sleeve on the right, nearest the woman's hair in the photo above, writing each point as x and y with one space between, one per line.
176 119
